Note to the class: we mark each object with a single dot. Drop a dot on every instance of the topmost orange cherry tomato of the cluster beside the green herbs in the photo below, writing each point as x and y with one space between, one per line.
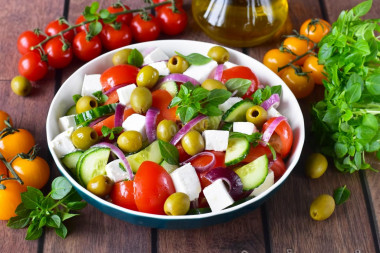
315 29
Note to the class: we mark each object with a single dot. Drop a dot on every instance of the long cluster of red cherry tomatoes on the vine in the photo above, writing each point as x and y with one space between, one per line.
58 51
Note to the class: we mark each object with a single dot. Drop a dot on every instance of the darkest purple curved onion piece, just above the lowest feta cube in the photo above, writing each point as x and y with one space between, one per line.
230 177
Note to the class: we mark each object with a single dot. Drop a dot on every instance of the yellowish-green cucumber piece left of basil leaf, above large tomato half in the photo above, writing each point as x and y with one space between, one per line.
150 153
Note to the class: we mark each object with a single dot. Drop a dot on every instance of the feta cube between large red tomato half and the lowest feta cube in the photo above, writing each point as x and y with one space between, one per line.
185 180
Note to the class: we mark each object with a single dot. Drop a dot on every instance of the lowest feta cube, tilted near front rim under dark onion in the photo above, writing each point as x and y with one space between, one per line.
217 196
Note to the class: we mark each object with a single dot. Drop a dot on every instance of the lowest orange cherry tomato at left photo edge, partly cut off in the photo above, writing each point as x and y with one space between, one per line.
10 198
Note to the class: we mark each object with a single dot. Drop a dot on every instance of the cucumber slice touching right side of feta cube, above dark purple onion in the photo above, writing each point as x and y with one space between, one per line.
237 150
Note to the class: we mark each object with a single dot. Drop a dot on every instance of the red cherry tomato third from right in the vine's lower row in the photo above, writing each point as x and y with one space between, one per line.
113 38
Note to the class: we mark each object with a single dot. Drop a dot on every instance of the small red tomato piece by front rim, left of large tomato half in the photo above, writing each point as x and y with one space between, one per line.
122 195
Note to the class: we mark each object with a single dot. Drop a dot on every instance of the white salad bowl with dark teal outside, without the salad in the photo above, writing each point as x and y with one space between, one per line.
289 107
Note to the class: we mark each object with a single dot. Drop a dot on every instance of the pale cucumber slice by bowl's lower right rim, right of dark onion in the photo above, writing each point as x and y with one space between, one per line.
253 174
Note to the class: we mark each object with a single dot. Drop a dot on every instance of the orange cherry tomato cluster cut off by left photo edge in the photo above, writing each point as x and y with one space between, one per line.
19 163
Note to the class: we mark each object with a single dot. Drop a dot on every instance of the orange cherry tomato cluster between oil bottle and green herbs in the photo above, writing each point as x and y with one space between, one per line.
296 62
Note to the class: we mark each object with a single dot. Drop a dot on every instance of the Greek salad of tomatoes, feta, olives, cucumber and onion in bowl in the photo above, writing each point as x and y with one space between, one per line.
174 134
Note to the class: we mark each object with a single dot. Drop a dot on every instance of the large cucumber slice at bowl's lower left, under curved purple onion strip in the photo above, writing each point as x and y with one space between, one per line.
93 164
